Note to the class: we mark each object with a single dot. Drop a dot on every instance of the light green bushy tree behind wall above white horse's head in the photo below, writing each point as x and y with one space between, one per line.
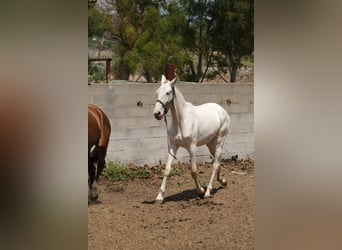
160 43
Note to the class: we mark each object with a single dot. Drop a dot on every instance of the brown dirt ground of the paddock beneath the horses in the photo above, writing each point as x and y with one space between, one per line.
126 217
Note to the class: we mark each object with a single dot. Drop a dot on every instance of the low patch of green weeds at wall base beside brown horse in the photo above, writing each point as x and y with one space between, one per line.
118 172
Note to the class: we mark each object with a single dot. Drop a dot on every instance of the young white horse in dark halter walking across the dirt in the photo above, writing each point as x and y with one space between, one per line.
191 126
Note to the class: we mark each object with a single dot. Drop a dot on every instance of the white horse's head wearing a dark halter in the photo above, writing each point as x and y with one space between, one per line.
165 94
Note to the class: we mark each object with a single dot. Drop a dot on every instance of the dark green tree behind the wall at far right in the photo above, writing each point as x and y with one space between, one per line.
232 33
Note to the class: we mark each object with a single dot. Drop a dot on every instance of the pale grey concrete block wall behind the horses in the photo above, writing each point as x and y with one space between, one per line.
140 139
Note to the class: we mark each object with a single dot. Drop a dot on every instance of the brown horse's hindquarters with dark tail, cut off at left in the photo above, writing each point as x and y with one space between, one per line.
98 138
